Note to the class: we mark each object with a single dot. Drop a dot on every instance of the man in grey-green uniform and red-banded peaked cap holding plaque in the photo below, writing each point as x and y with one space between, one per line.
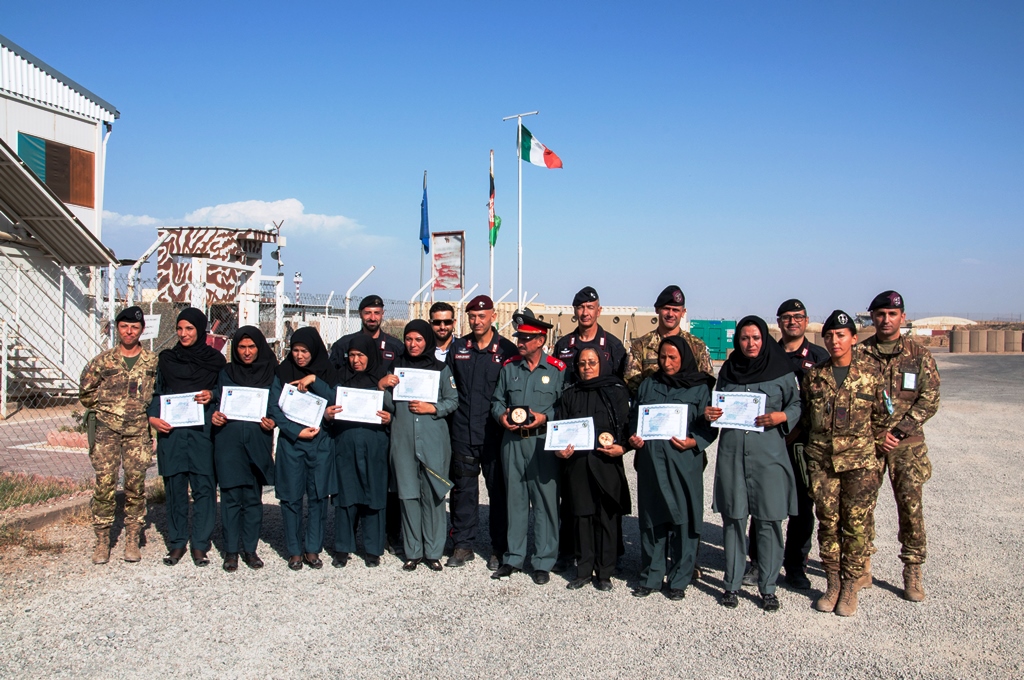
524 402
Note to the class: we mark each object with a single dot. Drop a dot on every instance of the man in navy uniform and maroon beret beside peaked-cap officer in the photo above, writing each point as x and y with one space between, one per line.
476 361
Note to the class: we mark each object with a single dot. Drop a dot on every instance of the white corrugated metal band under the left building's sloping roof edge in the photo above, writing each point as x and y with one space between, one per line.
26 76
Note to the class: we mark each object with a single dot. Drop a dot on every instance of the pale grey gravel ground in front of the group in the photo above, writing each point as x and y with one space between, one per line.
62 617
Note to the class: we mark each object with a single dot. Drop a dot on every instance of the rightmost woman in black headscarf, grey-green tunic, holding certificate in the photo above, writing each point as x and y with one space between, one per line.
757 395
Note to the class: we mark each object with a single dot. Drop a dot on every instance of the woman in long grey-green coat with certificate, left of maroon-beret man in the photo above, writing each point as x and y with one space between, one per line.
421 448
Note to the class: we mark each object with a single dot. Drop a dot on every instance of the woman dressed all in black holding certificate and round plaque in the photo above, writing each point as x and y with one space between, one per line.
594 487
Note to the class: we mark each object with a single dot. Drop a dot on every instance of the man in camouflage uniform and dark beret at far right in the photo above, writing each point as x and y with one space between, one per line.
912 397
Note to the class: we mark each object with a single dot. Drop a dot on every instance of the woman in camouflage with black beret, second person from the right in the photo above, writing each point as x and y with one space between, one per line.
843 407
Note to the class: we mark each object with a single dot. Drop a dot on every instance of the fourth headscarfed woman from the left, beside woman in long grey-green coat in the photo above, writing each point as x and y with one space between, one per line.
361 454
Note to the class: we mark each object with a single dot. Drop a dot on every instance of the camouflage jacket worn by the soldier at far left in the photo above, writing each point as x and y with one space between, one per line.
120 397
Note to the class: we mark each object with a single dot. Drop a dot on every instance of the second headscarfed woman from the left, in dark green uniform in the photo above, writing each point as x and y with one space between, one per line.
242 452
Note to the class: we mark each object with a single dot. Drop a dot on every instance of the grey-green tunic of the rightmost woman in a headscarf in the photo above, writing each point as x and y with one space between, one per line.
753 476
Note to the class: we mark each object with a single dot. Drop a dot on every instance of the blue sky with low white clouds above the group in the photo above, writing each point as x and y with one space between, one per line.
749 152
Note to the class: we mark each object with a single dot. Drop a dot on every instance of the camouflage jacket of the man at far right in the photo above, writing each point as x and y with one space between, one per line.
912 384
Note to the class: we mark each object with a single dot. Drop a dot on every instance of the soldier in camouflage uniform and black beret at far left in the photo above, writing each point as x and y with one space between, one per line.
117 388
